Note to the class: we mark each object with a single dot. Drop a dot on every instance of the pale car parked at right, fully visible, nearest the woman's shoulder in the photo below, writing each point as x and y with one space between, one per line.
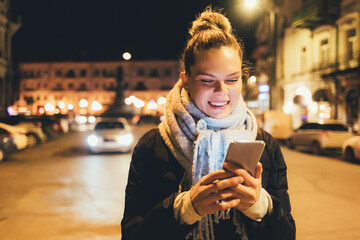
319 137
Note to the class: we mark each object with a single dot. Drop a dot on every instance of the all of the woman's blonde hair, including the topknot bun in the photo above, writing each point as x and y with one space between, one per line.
210 30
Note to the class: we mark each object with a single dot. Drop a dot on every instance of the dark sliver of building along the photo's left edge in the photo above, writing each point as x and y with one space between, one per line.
7 30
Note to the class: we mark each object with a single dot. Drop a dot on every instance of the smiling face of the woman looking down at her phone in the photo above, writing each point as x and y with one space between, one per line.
215 81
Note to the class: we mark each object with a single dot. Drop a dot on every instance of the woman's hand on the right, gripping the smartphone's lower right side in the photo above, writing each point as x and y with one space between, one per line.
249 190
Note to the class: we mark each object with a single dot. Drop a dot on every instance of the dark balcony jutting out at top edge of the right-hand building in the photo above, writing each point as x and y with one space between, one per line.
316 13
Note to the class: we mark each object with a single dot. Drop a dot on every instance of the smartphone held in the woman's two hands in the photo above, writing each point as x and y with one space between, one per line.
245 154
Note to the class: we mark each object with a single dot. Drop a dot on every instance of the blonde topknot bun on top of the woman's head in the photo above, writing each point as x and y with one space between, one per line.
209 20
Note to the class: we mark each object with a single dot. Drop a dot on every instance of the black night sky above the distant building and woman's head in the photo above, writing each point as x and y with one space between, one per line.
99 30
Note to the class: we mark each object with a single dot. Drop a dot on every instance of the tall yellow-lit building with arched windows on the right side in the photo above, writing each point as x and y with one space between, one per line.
317 59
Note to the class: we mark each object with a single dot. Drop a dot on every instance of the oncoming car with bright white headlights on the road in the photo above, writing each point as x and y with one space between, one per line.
110 135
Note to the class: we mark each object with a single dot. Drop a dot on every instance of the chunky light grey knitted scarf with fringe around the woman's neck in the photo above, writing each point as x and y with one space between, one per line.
200 143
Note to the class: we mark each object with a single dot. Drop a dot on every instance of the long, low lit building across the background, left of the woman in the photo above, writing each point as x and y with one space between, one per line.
91 88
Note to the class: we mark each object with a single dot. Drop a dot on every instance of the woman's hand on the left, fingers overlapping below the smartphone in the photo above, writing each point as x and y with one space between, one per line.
214 192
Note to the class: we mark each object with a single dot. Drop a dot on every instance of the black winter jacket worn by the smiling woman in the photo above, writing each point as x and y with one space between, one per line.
153 185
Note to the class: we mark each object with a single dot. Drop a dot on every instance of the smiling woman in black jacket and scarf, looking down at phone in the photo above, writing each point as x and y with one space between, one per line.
179 186
